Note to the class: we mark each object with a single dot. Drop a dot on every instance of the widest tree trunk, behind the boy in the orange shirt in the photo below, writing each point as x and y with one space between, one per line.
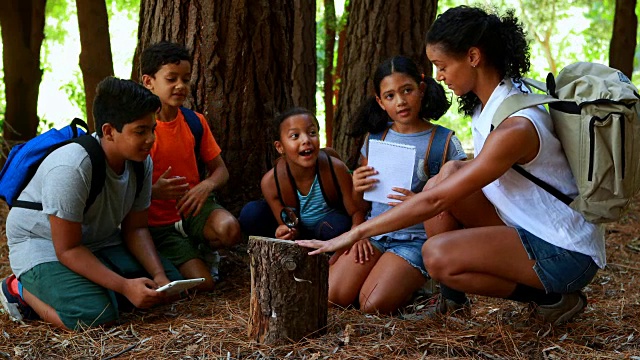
241 75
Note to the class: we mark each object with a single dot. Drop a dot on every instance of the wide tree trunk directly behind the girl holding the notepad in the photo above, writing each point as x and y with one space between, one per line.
376 30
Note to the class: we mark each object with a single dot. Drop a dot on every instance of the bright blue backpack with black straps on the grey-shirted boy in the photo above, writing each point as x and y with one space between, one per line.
24 159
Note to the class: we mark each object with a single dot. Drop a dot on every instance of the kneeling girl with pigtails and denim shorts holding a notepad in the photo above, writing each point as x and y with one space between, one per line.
383 271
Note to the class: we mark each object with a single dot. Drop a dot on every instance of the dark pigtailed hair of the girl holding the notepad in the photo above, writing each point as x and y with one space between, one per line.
371 118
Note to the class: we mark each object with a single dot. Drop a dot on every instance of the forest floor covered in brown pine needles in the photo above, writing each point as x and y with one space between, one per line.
214 325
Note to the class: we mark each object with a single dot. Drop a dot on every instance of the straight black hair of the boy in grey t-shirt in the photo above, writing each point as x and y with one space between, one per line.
120 102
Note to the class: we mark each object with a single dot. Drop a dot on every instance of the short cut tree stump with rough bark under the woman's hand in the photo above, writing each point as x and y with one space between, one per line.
289 291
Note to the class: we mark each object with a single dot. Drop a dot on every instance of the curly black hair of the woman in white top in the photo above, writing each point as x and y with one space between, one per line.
502 41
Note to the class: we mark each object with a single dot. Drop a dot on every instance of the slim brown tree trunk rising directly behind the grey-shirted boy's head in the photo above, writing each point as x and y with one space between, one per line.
96 61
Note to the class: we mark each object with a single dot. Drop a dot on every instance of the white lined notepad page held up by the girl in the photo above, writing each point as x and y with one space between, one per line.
394 163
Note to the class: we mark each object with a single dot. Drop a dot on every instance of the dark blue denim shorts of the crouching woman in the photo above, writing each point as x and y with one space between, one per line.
560 270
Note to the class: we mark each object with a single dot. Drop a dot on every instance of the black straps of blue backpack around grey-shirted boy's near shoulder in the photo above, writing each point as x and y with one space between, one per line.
98 171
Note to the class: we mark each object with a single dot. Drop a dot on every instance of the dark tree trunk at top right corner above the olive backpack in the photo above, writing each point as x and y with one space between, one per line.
623 40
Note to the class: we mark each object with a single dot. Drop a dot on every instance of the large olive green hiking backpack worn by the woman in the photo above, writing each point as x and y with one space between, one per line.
596 115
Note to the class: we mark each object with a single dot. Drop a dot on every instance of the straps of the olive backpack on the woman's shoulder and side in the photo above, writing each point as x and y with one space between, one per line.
515 103
